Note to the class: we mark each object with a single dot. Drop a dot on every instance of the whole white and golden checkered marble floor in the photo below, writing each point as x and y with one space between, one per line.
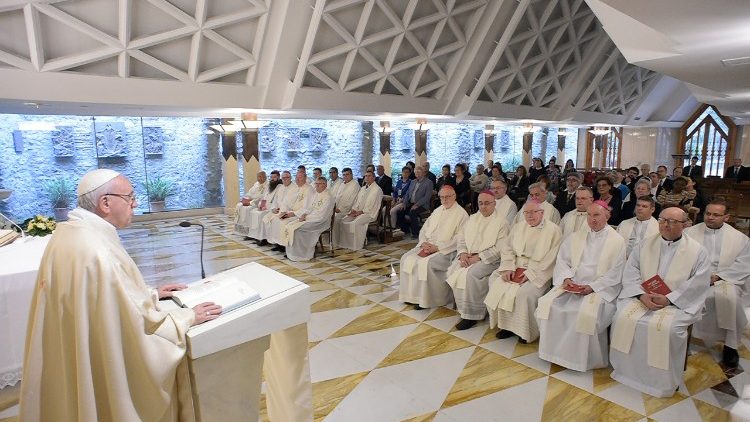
373 358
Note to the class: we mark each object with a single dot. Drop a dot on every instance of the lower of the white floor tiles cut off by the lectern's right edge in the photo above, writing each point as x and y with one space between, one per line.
337 357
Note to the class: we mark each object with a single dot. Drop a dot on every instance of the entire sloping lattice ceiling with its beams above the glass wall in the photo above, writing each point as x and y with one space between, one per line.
547 60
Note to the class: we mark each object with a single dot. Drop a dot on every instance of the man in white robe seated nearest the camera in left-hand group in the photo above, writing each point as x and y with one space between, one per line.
300 235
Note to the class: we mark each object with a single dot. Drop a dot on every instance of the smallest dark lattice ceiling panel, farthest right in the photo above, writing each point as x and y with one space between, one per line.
620 88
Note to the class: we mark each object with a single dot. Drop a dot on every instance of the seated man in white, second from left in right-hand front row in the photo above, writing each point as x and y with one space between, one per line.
479 244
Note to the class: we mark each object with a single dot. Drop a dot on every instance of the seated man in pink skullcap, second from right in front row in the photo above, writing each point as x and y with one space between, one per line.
574 316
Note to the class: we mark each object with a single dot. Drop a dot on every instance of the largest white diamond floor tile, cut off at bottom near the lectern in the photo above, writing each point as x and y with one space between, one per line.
403 391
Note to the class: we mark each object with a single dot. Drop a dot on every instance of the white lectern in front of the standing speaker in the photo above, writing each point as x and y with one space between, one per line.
225 356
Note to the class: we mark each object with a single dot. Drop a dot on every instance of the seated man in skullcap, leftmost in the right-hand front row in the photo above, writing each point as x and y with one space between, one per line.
424 269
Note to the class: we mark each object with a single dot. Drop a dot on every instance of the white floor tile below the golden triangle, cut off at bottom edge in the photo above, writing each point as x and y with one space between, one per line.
523 402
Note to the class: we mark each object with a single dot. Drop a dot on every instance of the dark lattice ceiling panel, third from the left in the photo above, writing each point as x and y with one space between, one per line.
548 47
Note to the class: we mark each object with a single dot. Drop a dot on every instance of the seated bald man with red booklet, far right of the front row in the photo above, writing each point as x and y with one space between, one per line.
649 332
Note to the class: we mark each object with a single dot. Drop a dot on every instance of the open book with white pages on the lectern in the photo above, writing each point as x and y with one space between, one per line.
228 292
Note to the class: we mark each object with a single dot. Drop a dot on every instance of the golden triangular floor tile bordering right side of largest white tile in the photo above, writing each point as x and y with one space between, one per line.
487 373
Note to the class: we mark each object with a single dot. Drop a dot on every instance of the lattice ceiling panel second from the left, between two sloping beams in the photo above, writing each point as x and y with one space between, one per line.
389 46
